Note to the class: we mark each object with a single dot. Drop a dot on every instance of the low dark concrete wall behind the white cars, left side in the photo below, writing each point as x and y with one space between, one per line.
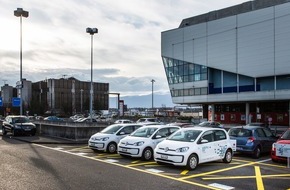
69 131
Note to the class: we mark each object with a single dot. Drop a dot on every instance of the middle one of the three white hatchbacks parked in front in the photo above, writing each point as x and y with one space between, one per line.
142 142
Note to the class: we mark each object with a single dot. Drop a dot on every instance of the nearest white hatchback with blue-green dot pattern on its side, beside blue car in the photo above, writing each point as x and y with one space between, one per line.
195 145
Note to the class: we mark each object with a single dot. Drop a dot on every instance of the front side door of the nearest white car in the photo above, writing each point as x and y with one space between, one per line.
206 147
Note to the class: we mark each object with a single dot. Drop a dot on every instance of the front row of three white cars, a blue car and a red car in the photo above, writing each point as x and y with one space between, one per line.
185 145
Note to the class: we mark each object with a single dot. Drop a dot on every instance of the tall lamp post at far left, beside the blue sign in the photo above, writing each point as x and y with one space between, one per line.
21 13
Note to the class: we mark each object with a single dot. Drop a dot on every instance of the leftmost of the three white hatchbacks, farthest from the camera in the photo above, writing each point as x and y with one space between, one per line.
108 139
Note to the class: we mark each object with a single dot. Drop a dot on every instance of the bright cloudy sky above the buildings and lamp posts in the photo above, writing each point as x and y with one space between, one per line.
126 49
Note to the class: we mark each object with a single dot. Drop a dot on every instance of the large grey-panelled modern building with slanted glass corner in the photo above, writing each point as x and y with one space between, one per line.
235 62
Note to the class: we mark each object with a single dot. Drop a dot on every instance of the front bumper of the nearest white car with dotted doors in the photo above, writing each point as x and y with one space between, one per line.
175 159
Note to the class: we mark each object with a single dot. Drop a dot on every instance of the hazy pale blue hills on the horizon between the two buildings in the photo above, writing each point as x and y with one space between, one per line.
143 101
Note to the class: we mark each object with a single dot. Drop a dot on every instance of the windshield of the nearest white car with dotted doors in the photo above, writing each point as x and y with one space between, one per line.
186 135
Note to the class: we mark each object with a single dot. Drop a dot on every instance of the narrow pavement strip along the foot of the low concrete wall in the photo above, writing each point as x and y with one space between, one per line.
42 139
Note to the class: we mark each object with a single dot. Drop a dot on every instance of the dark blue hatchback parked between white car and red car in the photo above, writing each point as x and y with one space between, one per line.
253 140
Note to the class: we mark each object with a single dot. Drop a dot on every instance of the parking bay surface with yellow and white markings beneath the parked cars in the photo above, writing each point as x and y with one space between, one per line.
243 172
